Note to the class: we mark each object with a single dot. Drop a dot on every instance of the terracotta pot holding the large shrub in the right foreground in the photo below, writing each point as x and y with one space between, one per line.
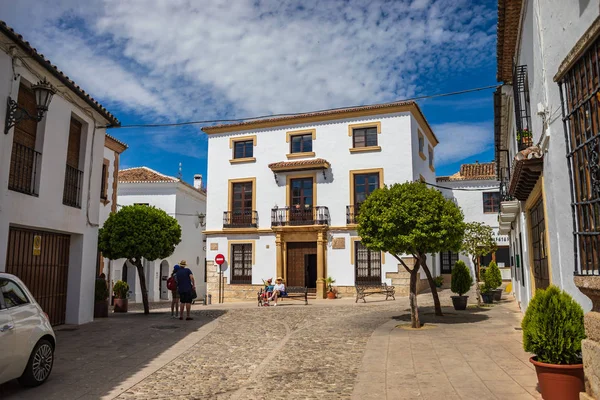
559 382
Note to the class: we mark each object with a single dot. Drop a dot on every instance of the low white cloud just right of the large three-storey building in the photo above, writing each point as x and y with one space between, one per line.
460 140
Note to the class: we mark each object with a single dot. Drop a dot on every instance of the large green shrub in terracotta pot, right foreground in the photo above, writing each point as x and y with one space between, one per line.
553 329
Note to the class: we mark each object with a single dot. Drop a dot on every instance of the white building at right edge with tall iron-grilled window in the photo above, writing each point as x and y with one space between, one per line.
547 167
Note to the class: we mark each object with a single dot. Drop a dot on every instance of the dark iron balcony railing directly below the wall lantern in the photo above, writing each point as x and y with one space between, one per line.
24 167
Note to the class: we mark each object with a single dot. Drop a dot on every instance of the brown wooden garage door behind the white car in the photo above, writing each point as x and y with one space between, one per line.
41 260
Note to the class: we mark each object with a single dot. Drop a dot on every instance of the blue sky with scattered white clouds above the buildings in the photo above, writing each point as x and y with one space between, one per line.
178 60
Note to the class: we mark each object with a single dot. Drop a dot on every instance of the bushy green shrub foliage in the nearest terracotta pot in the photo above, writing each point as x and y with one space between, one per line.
553 327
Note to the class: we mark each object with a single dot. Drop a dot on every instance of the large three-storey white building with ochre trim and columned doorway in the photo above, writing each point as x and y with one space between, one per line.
284 192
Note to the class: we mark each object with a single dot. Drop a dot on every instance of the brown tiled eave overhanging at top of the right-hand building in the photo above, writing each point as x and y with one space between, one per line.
509 15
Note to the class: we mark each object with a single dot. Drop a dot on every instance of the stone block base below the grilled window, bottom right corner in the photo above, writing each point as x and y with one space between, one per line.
590 347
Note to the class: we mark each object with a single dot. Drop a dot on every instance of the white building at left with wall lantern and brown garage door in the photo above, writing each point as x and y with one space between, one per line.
50 183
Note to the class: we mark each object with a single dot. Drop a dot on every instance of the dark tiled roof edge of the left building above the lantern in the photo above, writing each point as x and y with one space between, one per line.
58 74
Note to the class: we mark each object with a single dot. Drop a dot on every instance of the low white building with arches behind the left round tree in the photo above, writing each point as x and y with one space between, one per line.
180 200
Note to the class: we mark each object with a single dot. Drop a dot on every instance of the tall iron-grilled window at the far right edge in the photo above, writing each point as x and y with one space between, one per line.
580 91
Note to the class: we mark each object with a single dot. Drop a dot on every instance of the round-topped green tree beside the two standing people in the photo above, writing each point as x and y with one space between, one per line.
137 232
